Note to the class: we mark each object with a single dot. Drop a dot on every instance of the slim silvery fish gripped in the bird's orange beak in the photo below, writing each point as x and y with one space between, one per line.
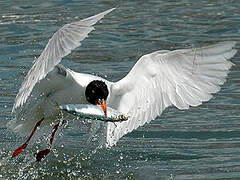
94 112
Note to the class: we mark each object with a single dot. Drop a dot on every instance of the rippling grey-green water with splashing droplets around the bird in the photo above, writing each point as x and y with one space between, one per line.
201 143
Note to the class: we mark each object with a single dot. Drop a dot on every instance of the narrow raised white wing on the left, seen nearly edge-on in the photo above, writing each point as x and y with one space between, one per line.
63 41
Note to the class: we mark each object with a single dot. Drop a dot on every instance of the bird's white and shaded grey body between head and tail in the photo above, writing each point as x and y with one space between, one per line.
60 86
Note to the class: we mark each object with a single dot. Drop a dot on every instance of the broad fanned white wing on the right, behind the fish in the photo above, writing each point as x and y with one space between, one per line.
161 79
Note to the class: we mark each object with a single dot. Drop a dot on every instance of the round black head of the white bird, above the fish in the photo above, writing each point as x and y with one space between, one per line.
96 91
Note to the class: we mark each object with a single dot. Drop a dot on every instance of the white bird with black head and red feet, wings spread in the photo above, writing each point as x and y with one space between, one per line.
180 78
